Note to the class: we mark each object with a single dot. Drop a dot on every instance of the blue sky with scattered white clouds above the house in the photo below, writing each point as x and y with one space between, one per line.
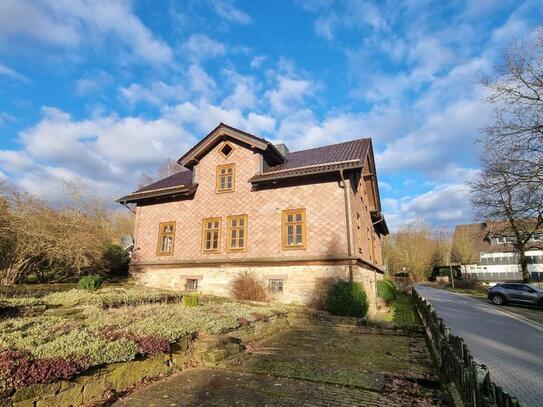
99 92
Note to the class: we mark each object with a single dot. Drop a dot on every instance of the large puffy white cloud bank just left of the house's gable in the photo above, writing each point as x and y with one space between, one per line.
103 150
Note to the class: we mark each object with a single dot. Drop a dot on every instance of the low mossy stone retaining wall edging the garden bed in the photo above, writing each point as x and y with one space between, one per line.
94 383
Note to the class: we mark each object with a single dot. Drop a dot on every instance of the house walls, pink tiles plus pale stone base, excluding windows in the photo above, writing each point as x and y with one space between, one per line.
325 256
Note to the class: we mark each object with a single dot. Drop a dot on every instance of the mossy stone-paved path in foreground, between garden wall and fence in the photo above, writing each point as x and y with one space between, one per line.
310 366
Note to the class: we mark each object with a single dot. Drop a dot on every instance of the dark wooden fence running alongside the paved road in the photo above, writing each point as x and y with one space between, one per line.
457 366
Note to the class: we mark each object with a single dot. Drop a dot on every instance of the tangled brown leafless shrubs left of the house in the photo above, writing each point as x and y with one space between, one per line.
42 243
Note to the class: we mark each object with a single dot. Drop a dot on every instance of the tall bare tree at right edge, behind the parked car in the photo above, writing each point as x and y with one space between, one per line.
510 186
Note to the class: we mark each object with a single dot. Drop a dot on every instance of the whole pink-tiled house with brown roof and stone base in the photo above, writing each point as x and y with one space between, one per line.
295 219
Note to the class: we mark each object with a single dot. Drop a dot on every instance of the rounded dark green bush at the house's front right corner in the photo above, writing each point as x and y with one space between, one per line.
347 299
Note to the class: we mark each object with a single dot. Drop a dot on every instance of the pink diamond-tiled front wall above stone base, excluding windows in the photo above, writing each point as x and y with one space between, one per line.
323 202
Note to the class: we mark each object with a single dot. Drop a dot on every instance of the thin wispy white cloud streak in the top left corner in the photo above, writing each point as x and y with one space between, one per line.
72 23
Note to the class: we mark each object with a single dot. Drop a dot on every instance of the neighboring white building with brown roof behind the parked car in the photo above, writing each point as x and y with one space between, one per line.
485 251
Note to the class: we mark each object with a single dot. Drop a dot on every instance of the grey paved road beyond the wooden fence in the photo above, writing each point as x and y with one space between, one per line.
511 347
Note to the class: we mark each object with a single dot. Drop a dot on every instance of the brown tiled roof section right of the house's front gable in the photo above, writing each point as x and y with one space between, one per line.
350 154
